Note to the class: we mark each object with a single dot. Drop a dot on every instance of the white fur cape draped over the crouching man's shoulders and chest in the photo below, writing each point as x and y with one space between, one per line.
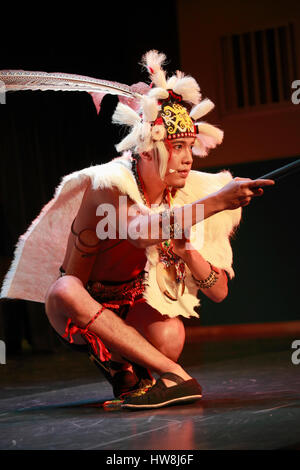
40 251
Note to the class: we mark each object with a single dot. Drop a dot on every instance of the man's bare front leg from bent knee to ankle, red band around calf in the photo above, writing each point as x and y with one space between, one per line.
67 297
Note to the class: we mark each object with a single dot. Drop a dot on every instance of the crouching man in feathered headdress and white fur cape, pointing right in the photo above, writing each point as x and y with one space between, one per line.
135 239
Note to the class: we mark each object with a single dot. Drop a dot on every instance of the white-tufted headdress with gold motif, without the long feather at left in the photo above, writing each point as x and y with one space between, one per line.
171 109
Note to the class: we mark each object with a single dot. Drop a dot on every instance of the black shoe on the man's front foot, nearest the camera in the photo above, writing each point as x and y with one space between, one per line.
159 395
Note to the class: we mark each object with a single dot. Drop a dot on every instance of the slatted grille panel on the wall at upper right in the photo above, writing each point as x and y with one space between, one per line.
258 67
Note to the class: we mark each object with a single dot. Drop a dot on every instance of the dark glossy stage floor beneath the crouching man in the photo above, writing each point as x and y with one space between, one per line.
251 401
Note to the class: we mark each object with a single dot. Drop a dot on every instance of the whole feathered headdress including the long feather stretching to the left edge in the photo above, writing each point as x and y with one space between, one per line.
167 109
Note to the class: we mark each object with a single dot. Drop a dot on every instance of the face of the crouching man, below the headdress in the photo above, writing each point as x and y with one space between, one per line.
181 161
